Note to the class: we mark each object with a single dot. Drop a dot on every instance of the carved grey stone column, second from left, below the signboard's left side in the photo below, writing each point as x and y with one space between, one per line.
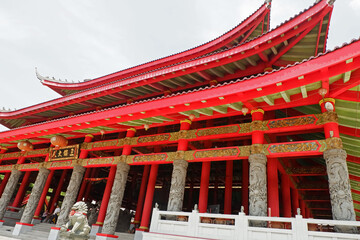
35 195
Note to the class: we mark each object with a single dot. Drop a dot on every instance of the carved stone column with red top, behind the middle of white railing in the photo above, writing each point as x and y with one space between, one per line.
257 168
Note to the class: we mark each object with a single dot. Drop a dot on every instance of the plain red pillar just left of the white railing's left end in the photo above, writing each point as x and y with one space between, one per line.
144 225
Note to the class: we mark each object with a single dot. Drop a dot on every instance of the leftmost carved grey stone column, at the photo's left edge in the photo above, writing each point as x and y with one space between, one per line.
9 191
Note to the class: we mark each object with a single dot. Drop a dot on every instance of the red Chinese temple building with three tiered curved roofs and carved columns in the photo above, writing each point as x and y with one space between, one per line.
255 122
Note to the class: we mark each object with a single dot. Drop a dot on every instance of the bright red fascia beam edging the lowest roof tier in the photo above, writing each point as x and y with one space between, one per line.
334 60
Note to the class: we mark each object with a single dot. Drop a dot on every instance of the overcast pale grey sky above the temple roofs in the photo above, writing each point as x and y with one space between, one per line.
85 39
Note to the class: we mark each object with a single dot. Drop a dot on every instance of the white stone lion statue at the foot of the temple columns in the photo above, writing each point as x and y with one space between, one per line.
77 227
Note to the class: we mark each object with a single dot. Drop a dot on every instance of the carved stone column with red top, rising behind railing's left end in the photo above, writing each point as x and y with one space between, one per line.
178 178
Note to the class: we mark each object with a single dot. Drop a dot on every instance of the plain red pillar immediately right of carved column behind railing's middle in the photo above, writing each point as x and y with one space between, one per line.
273 187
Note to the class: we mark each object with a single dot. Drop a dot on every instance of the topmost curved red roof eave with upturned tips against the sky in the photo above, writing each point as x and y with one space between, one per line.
253 26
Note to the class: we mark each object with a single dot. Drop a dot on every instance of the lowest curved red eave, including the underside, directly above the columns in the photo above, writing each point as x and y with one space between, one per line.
244 90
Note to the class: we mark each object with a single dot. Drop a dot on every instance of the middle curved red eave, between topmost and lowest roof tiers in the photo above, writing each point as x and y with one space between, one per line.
248 51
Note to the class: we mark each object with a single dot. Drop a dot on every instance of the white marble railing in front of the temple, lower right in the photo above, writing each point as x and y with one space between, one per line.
185 225
